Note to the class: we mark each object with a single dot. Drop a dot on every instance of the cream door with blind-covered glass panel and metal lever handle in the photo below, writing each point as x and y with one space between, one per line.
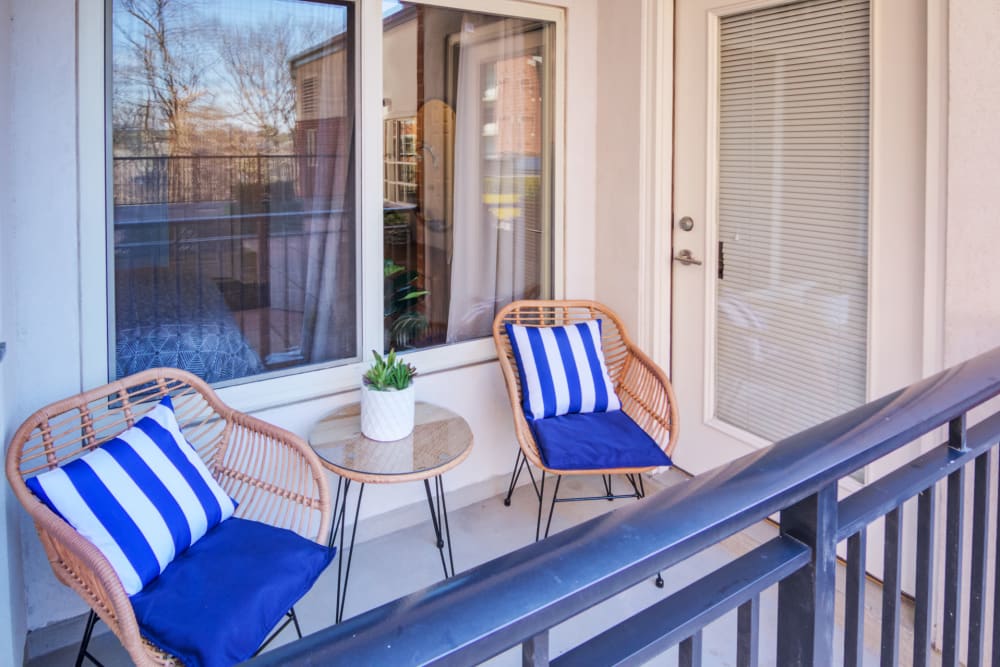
771 269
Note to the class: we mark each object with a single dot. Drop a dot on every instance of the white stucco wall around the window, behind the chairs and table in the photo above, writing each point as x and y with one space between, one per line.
51 224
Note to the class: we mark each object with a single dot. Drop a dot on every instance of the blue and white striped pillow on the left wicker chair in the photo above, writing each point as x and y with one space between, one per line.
141 498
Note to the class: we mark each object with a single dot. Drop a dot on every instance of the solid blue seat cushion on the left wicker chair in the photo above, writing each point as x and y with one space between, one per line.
216 603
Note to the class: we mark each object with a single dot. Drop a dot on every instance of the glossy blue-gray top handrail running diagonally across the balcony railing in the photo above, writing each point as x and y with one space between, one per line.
513 598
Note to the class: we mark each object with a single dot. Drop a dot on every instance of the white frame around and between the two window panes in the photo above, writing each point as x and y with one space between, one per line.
280 388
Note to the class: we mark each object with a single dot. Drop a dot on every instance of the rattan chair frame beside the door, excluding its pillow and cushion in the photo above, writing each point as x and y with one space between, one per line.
642 387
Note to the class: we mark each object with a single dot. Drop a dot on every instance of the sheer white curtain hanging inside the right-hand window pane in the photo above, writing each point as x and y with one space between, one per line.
490 238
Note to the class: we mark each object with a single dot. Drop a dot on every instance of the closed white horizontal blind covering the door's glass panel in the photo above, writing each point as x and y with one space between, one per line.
793 152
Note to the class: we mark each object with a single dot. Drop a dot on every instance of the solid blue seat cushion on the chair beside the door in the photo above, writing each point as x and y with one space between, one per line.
595 441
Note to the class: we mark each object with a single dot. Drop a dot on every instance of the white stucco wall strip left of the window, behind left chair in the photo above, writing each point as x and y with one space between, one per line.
44 361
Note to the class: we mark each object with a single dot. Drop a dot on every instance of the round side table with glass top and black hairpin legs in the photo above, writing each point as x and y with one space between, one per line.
440 441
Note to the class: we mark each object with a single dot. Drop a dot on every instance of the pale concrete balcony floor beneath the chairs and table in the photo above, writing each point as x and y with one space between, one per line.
391 561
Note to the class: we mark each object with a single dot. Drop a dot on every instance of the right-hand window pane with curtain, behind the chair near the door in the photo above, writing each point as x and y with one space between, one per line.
467 217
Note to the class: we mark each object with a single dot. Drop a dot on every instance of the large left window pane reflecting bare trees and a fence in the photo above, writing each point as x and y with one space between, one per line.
233 208
